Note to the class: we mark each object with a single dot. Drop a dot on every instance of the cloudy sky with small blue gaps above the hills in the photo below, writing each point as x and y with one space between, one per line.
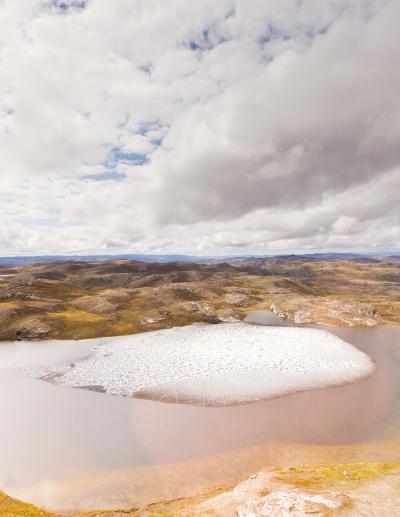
202 127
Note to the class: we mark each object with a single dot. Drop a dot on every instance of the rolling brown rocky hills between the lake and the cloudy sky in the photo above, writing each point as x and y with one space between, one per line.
76 299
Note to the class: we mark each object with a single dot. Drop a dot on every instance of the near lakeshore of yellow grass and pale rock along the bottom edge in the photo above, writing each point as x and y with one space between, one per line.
358 489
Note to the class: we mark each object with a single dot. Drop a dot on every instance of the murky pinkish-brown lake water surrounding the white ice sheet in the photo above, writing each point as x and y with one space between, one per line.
128 451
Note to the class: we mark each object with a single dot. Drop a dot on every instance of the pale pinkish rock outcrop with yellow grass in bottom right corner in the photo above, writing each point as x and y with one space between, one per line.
321 491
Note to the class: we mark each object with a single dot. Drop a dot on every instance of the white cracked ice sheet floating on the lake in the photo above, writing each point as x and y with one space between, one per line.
215 365
